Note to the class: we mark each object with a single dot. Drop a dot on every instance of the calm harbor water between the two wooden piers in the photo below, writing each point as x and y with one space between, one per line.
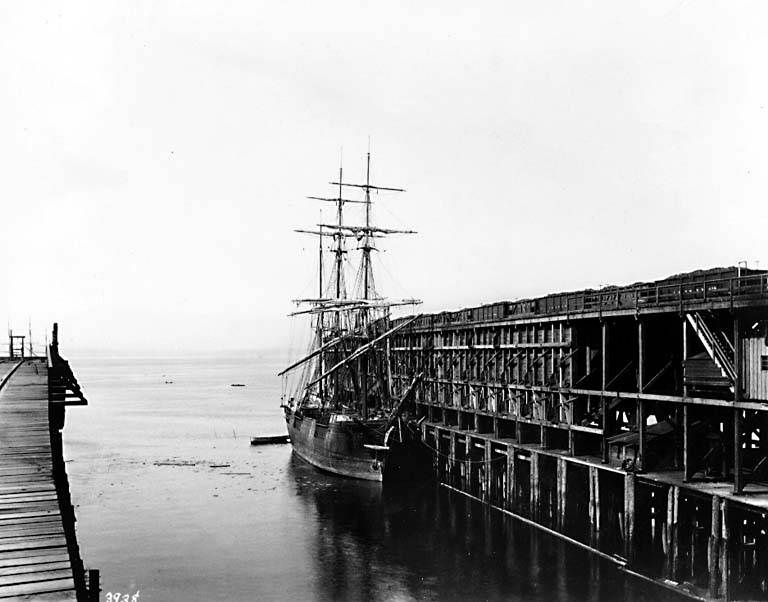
172 500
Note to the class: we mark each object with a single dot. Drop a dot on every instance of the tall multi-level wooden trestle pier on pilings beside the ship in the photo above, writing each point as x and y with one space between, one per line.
632 421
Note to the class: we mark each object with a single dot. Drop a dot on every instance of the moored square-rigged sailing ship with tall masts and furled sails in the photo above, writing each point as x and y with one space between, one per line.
342 414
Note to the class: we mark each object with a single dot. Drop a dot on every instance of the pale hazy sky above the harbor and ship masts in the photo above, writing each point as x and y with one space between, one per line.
156 155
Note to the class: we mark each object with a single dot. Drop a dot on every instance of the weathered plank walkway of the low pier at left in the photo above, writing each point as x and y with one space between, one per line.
38 558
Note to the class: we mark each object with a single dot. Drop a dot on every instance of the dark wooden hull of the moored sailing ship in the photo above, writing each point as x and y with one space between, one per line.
339 447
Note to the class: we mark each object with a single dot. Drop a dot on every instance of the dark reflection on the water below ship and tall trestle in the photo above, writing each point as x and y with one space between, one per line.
421 541
